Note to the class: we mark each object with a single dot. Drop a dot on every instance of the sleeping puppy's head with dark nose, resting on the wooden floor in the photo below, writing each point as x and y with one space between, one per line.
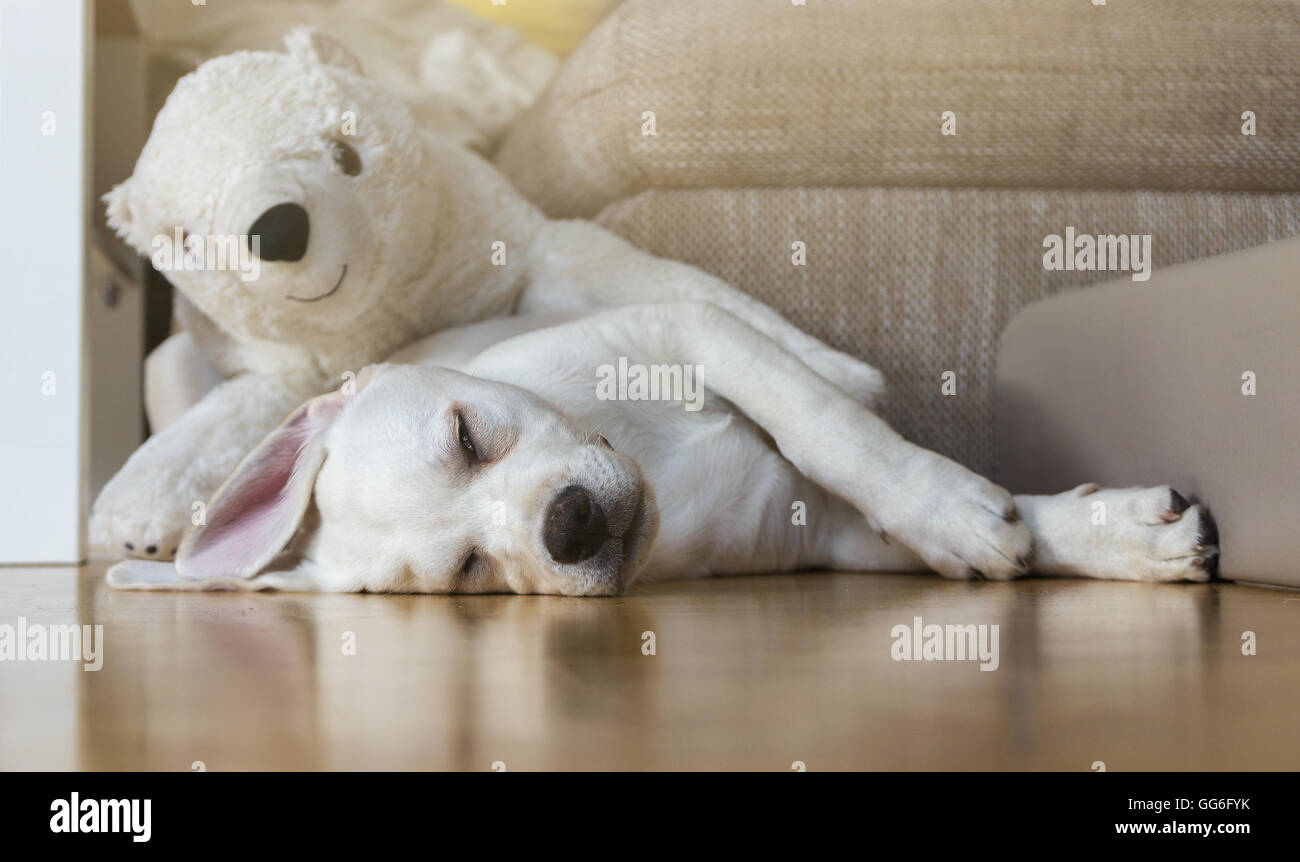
430 480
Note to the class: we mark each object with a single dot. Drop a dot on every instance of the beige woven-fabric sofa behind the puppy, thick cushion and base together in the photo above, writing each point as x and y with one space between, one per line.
822 124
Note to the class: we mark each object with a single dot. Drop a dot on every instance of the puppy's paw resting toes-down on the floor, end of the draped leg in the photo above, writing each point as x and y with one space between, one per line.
961 525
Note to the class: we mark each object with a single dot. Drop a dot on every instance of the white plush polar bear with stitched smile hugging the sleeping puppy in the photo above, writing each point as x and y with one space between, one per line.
322 228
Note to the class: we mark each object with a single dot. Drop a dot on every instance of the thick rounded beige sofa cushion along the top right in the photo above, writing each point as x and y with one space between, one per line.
1137 94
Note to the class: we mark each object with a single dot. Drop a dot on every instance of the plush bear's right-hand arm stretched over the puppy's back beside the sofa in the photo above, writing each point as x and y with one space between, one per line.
578 266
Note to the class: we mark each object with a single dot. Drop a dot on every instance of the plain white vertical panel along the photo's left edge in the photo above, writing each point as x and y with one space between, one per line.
45 209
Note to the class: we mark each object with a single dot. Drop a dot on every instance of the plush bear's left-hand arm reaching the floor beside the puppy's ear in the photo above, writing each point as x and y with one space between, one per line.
162 490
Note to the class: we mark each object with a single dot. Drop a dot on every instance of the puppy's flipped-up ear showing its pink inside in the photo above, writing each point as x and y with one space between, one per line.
261 506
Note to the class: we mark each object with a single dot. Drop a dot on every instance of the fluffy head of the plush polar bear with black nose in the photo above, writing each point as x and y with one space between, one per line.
281 192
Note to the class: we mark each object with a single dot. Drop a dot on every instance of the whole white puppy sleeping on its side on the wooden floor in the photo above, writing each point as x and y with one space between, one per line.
489 460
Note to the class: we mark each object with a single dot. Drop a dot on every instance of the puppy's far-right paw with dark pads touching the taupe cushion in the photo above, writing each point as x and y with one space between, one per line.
1124 534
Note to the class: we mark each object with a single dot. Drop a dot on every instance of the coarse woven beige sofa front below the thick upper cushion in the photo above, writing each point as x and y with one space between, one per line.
924 281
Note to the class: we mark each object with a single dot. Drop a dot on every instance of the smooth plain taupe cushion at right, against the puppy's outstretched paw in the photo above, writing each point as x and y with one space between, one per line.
1126 385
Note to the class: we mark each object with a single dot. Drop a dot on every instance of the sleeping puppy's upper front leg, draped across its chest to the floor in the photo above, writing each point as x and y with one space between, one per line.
960 525
